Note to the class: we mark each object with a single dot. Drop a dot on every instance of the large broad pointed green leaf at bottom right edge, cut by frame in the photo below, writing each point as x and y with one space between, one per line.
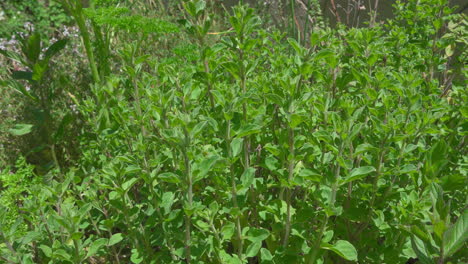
456 235
